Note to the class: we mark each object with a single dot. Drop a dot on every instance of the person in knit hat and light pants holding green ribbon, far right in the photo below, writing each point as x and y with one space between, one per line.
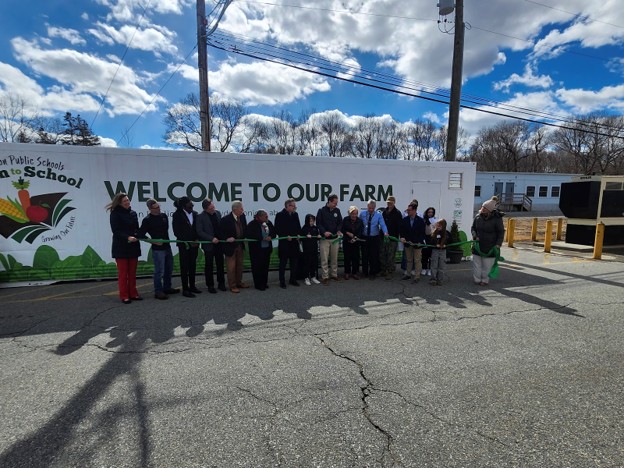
488 233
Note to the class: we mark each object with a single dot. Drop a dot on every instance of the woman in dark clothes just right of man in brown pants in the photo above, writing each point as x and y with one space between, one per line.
261 230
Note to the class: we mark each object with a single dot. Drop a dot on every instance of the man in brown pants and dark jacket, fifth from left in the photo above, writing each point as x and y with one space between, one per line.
233 228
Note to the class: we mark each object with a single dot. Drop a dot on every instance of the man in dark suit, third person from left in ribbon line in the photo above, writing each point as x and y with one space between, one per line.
184 223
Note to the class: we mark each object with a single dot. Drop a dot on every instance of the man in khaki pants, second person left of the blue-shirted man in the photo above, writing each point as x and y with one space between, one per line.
329 220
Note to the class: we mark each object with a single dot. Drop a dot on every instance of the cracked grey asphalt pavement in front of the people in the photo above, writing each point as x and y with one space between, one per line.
528 371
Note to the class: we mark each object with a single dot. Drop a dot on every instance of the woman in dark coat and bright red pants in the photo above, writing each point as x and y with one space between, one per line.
126 248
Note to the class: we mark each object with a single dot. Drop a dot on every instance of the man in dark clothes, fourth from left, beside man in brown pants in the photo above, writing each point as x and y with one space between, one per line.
209 231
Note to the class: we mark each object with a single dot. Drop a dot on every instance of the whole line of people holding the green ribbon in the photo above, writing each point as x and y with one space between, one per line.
369 239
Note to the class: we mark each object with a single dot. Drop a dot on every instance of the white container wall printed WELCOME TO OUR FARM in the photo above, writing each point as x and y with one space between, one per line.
53 224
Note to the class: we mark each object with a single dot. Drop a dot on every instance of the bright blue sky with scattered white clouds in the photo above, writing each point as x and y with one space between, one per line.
557 56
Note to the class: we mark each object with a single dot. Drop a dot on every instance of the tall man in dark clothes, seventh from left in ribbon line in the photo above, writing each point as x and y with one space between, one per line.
287 224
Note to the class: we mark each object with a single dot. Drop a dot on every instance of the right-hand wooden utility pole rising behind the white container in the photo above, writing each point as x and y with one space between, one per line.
456 81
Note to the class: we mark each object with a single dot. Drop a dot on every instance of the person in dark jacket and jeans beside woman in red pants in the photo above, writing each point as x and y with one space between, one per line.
156 224
